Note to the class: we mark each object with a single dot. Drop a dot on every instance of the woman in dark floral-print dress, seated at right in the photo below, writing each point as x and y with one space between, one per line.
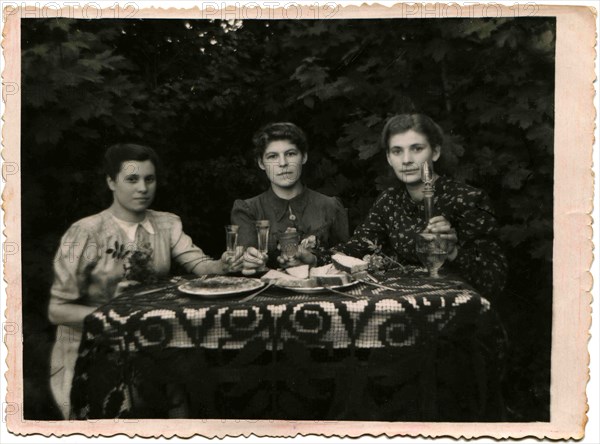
462 213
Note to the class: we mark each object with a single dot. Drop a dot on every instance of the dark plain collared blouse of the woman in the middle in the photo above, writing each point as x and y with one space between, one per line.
311 213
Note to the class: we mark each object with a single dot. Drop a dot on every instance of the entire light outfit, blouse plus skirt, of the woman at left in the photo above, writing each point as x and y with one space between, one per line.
92 259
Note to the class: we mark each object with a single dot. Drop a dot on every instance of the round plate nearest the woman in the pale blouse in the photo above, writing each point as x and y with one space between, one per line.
218 286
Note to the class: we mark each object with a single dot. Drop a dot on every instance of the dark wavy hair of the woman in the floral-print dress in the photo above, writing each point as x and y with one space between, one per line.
417 122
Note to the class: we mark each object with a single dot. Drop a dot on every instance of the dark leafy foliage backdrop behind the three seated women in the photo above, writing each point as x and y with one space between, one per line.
196 90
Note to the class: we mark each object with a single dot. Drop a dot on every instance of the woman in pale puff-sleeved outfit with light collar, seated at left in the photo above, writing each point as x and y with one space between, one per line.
102 254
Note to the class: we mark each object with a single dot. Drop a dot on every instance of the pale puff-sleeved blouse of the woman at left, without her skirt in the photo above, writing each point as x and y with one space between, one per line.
93 253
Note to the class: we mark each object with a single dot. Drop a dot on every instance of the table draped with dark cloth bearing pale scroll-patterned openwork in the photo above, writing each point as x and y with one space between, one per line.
430 351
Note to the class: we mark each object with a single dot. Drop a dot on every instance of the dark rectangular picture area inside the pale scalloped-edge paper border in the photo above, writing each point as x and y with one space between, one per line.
301 219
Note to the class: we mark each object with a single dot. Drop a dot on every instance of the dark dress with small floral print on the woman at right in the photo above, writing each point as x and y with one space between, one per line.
395 218
